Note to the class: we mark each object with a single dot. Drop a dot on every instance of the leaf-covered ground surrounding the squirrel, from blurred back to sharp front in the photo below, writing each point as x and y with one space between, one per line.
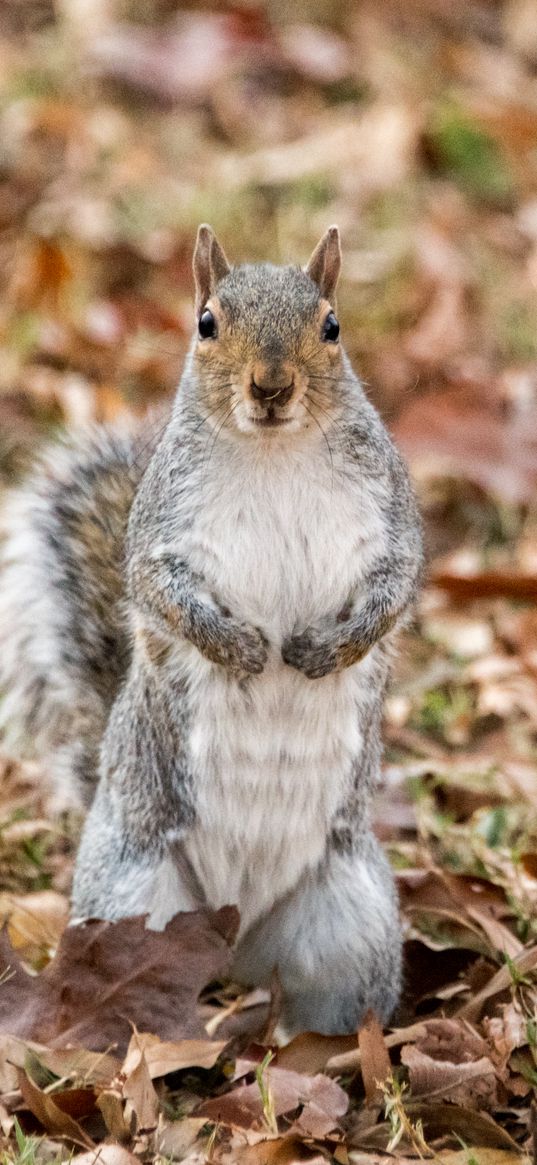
123 125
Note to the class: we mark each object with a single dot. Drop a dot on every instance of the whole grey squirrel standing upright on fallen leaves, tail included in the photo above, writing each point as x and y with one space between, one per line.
196 632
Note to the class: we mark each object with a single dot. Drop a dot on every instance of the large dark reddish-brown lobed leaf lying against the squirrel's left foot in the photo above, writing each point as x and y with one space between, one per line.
108 976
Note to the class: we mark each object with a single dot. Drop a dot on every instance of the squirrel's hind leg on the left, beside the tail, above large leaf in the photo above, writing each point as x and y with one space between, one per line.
131 859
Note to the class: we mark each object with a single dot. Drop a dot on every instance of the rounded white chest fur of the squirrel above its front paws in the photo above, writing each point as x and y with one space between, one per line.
282 543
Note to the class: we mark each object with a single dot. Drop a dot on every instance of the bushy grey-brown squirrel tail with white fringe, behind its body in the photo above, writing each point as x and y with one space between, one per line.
63 633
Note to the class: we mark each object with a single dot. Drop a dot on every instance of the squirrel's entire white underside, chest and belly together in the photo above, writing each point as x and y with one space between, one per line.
274 759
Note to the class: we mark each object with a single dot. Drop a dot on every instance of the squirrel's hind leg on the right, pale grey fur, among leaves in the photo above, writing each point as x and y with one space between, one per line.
336 942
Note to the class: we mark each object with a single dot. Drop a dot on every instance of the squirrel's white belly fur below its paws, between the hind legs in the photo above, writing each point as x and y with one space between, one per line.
272 764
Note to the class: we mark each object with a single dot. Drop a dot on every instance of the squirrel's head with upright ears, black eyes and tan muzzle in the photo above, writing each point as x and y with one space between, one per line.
267 352
